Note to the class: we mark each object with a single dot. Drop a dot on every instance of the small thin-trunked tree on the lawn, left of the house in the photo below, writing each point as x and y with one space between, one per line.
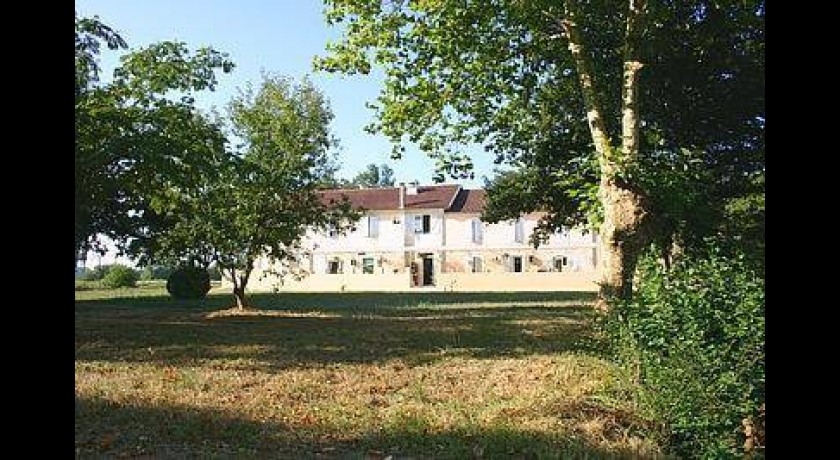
261 197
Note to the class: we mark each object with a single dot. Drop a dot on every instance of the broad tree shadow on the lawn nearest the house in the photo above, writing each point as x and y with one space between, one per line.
328 329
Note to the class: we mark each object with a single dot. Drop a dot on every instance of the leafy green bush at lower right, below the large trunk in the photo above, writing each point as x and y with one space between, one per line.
694 336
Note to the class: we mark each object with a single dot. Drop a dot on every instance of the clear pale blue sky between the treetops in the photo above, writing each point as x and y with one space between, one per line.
276 36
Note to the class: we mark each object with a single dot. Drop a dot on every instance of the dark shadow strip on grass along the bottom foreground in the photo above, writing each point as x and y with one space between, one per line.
108 429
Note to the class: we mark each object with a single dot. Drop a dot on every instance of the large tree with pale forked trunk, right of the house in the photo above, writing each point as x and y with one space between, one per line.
592 102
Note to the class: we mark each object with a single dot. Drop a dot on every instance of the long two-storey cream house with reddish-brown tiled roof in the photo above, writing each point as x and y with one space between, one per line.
432 238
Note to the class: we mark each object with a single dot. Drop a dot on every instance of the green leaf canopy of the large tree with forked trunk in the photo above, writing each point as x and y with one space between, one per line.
500 74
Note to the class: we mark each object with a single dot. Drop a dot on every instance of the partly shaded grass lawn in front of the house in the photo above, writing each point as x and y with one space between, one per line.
431 375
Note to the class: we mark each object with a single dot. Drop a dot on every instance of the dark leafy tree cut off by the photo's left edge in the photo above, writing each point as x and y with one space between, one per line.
132 137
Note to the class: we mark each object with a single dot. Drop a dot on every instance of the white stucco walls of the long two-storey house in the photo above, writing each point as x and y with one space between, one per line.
449 242
